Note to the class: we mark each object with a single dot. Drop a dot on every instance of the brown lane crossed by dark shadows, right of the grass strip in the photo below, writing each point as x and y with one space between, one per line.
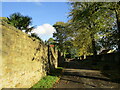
76 75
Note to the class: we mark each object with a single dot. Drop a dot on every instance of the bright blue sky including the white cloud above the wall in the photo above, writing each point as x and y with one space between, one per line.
43 14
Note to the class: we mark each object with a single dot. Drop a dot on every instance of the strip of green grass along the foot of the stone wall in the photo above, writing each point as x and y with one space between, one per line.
49 80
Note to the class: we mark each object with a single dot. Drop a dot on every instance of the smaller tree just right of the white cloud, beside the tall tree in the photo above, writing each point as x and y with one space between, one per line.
63 39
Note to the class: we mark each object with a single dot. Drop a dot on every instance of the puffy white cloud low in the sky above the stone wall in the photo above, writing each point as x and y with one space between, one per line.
44 31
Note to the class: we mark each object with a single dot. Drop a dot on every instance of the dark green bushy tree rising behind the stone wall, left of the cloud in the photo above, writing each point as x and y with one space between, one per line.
20 22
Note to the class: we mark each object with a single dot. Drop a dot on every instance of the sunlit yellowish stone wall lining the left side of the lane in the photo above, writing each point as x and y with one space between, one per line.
24 59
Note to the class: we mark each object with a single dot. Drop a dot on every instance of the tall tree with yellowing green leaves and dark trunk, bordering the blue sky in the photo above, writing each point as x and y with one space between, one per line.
88 19
